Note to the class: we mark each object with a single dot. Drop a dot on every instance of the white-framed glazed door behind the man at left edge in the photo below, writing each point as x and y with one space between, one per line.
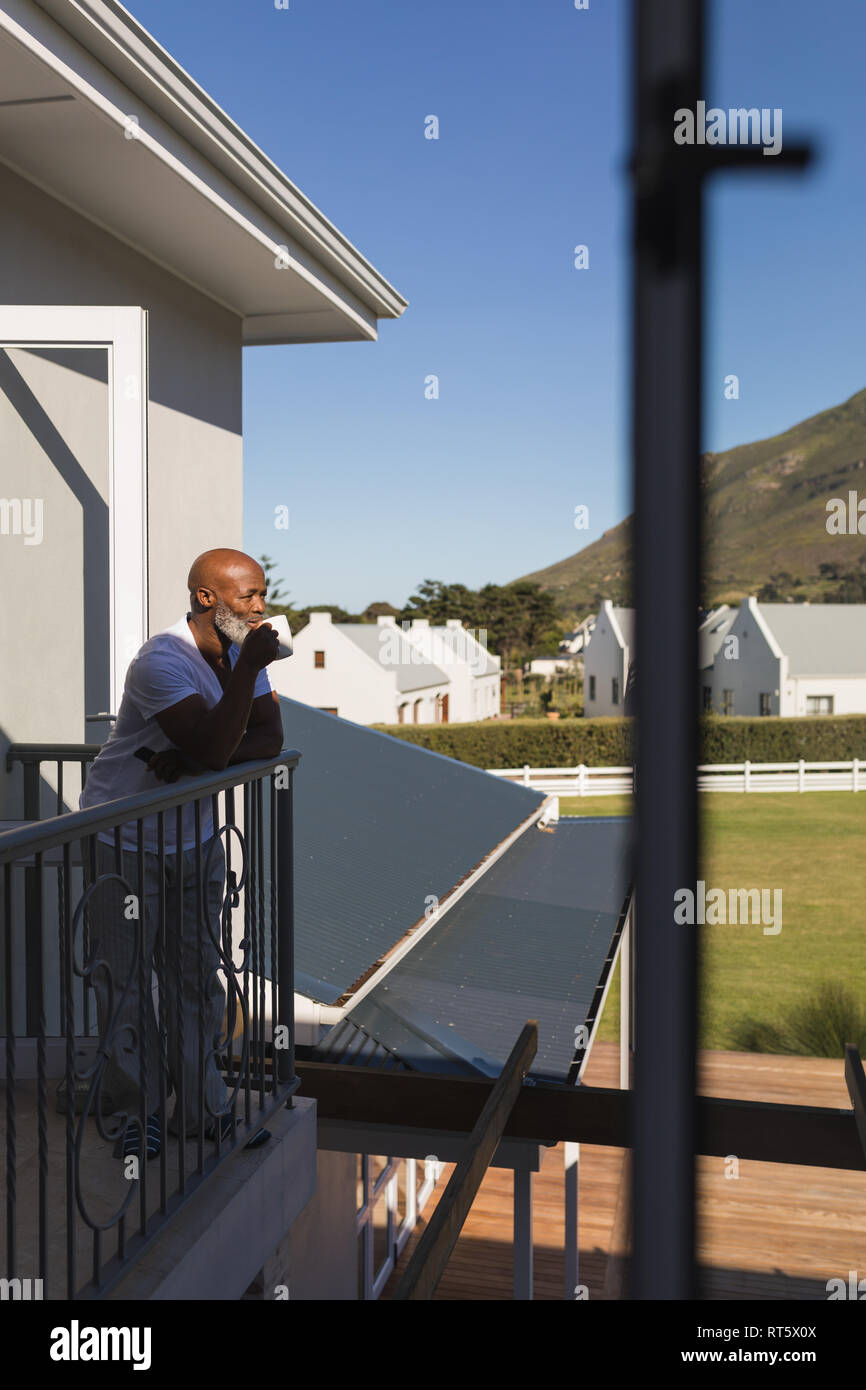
73 516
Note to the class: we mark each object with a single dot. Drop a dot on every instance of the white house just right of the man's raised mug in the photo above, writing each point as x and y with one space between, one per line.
363 672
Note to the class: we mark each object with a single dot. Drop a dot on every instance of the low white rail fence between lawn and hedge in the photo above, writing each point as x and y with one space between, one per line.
611 782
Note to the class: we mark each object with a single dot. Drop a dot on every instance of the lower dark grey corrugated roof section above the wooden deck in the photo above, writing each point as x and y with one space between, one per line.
528 942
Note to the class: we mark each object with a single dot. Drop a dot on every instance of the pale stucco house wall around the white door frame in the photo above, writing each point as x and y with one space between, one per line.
51 255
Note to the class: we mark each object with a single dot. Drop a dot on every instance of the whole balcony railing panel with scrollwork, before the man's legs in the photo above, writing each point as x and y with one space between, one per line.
149 888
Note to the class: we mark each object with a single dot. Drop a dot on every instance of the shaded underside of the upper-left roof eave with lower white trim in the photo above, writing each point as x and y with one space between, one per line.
231 224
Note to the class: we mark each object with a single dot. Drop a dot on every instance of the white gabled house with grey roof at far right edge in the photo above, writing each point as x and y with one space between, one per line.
792 660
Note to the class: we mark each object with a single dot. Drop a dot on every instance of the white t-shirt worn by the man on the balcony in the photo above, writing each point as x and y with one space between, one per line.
168 669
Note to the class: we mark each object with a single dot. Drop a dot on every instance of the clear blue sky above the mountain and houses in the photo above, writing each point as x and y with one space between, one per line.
477 231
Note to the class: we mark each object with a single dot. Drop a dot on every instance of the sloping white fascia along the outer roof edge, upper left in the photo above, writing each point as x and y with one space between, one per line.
108 31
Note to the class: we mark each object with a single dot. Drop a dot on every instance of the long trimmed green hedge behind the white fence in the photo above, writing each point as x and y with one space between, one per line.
607 743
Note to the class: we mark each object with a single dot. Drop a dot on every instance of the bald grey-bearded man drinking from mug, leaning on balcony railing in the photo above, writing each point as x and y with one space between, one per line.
197 696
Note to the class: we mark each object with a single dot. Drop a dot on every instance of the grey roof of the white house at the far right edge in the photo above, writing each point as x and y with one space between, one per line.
819 639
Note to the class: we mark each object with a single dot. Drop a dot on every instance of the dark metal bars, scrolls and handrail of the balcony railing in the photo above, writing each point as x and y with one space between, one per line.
73 954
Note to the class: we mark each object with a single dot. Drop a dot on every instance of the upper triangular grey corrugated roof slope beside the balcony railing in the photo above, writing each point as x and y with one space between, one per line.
380 829
